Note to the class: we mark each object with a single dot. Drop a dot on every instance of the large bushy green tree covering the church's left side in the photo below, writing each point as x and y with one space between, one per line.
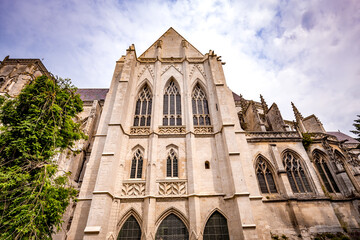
36 125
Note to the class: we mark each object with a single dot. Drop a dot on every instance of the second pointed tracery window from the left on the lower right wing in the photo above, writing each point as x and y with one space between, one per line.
296 174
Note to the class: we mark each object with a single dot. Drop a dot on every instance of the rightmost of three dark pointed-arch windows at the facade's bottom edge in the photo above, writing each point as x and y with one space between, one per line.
216 227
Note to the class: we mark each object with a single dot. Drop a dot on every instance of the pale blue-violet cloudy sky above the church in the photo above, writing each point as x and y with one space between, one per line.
307 52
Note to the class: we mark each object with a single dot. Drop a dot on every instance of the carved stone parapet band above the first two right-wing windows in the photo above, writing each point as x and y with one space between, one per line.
272 136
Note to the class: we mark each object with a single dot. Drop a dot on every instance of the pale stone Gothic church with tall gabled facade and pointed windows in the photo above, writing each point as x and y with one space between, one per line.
173 153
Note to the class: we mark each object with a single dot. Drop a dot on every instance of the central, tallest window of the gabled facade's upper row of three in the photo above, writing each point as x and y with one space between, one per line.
172 105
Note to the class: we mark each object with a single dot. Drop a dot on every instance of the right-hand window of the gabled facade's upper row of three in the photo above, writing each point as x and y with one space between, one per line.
200 107
